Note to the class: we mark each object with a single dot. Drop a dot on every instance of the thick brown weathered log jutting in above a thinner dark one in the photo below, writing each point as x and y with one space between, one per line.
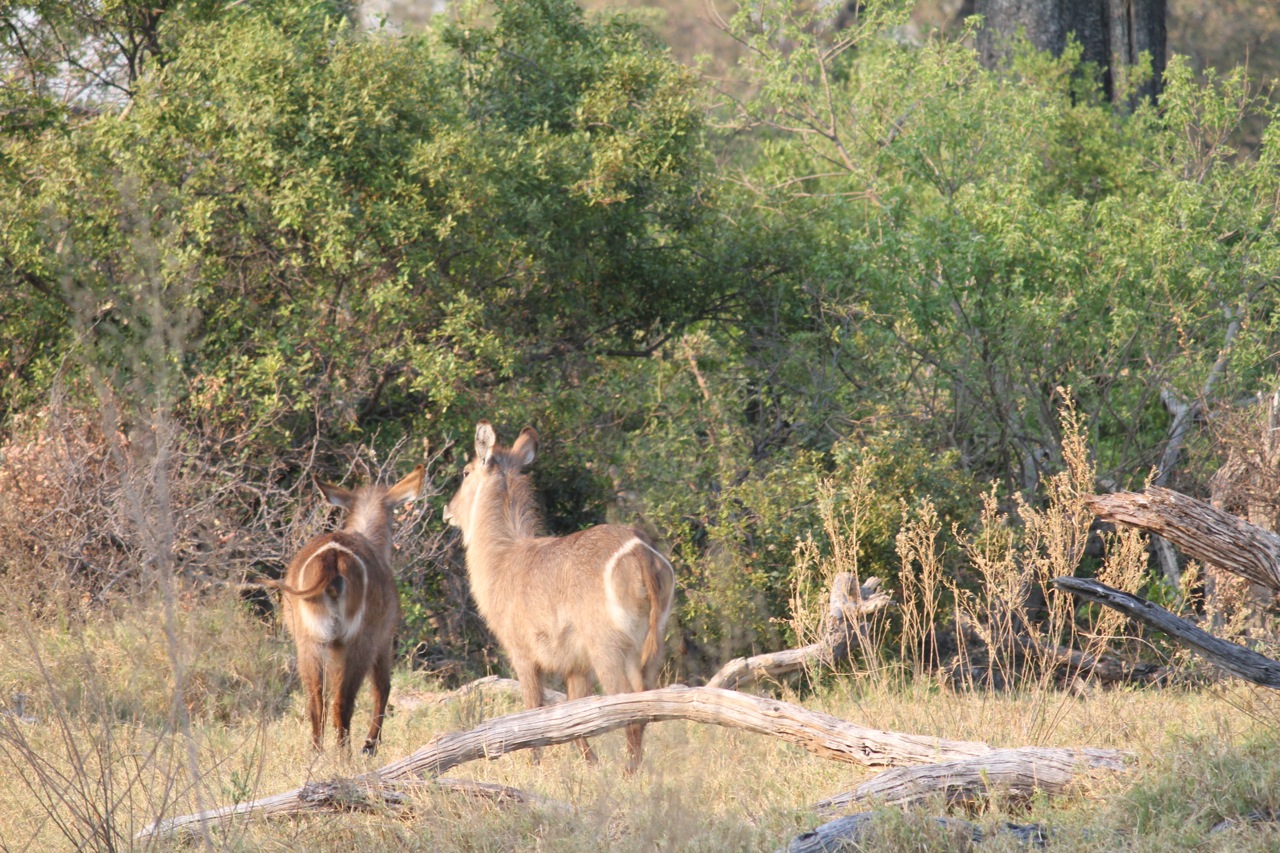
1201 531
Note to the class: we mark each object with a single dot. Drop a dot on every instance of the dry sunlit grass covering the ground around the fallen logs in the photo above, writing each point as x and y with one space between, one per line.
1201 758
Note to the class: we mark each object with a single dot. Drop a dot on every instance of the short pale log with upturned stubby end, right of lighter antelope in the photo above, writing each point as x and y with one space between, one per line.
840 624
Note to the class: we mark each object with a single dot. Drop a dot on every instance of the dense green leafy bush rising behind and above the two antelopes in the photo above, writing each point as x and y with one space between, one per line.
376 221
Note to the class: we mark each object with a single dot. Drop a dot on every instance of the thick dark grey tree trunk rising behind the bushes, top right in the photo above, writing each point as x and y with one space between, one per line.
1114 34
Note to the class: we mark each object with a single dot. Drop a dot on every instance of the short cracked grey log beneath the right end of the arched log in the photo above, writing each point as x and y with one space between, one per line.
1014 773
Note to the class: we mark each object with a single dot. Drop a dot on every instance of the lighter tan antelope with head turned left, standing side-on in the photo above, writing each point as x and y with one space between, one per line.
596 601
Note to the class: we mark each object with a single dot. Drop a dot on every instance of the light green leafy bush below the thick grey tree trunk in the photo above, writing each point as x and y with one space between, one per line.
977 240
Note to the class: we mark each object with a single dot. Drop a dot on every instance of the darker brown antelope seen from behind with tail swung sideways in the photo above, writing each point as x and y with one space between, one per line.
342 608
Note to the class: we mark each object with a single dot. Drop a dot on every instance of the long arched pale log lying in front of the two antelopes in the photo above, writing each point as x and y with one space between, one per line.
819 733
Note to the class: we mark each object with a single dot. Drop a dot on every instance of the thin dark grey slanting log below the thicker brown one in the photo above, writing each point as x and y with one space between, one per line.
1237 660
